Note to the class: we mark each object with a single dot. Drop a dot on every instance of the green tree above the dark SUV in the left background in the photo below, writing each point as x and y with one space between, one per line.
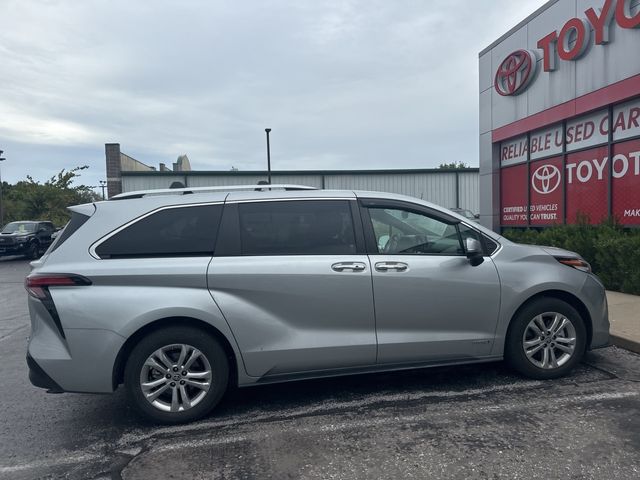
32 200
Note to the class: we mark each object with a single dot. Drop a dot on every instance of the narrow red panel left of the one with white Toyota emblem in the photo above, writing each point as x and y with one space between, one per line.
513 195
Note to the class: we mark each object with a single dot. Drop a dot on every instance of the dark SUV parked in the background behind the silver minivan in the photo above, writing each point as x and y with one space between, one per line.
28 238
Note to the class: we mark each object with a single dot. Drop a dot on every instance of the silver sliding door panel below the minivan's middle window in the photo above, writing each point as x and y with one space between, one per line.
297 313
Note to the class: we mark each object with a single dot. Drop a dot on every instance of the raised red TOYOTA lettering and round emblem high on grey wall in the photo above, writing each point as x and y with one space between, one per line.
518 69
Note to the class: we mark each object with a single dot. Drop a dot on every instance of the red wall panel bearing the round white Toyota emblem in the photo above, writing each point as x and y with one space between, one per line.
545 184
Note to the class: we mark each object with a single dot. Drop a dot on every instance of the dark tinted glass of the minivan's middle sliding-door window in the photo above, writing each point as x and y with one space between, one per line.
313 227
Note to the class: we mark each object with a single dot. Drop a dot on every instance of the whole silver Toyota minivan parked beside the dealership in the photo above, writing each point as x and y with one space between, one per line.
179 293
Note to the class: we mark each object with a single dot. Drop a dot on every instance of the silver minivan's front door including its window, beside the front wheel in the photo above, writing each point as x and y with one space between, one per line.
431 304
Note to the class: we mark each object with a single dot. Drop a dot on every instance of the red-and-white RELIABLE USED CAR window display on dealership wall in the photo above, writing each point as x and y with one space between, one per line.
569 169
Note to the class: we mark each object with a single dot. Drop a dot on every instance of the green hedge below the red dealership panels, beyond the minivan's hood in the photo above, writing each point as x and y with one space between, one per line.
612 251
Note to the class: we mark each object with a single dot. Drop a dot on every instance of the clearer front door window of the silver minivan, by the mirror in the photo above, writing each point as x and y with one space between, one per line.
404 232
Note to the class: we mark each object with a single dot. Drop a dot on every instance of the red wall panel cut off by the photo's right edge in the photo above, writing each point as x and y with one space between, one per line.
626 182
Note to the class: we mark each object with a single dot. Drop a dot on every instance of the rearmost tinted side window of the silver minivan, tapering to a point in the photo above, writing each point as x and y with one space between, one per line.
175 232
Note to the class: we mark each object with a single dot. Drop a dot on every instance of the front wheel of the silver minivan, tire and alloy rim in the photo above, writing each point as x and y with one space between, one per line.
562 354
